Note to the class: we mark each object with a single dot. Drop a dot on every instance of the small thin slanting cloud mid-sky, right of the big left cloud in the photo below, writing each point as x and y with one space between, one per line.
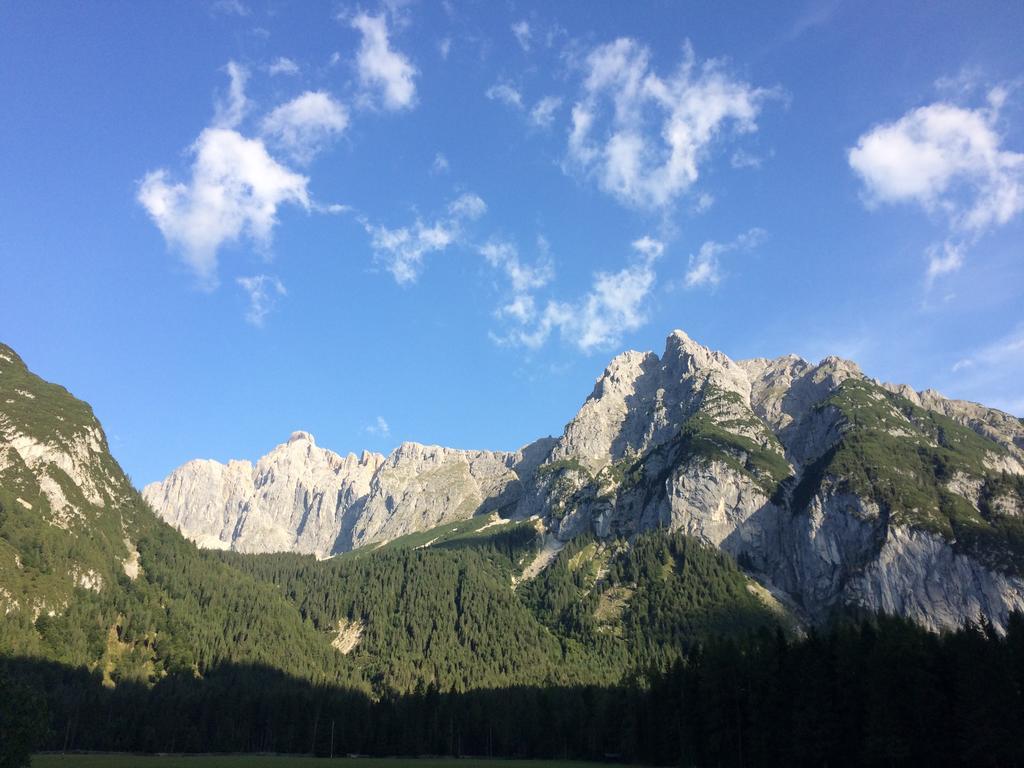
403 250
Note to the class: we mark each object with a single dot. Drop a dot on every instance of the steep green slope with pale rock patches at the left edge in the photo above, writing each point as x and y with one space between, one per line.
91 577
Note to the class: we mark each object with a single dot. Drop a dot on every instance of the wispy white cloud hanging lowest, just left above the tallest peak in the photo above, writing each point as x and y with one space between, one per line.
615 306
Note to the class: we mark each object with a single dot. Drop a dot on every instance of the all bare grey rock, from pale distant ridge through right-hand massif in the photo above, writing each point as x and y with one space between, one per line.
834 490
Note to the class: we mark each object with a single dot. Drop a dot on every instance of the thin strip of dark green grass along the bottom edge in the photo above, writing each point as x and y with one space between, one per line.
260 761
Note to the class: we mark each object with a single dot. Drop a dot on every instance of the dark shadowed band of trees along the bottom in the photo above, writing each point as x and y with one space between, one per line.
880 693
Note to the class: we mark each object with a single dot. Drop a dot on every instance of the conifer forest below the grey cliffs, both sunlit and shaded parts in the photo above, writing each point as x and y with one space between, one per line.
231 653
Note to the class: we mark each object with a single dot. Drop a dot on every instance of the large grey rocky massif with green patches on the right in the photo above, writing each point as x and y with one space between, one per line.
775 461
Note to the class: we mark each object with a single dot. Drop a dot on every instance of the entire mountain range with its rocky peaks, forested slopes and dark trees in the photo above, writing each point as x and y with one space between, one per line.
691 572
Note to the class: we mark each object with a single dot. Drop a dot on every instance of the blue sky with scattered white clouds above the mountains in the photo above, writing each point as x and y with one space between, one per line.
224 222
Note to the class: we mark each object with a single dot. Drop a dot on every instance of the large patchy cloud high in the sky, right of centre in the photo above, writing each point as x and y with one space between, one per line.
643 137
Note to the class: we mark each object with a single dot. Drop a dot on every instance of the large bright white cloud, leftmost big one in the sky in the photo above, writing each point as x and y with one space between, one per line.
235 191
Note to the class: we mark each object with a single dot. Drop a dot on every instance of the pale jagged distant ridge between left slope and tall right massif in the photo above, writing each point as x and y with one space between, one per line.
303 498
